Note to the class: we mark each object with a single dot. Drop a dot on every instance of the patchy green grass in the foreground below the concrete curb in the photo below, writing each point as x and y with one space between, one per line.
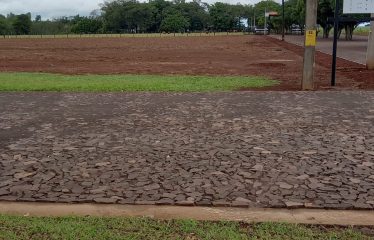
143 228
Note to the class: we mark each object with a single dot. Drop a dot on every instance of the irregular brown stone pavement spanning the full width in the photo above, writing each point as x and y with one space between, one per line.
263 149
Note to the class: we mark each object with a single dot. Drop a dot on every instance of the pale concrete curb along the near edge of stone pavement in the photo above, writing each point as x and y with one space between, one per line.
302 216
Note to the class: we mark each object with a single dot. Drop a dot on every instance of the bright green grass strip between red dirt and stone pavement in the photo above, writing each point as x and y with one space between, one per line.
126 83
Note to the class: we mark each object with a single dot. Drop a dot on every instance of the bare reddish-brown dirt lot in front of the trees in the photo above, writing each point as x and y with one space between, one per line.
224 55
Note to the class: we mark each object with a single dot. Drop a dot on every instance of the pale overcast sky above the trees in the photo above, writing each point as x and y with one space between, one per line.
57 8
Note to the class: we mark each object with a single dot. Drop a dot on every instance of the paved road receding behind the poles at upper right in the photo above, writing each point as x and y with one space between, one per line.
354 50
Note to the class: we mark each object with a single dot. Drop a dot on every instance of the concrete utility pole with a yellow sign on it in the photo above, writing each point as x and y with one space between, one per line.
310 44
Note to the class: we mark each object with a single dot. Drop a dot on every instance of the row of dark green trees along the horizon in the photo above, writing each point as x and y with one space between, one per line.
132 16
